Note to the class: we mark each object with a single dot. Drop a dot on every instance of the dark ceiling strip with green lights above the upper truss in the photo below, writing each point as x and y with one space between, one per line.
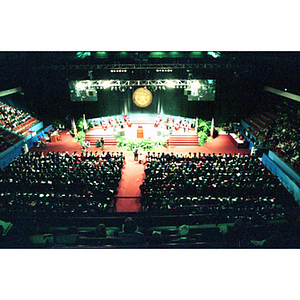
273 59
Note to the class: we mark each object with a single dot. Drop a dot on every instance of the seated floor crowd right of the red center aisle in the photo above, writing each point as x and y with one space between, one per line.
227 185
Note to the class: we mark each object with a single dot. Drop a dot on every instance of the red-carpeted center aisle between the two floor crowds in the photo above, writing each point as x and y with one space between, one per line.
129 186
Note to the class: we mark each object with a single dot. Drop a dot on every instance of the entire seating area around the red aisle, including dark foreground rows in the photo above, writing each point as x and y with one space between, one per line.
227 201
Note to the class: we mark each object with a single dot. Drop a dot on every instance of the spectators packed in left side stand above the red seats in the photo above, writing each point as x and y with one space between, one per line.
12 117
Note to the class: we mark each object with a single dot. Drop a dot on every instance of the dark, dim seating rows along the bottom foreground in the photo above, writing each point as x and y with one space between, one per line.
276 234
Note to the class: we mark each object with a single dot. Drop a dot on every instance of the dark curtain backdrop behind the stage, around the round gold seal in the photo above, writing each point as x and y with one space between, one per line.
171 101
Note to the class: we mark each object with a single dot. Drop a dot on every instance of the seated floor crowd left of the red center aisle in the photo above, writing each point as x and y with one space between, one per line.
60 181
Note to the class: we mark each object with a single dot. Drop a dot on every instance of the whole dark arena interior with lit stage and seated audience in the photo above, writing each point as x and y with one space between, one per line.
200 150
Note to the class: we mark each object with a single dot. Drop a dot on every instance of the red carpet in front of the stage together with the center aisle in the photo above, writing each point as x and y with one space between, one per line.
133 172
